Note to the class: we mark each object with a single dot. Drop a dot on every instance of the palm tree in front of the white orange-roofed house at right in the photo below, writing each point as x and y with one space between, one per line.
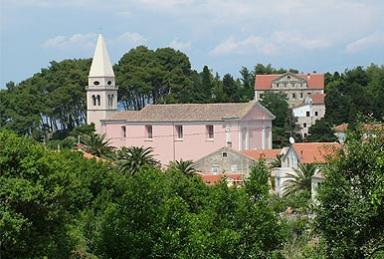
300 179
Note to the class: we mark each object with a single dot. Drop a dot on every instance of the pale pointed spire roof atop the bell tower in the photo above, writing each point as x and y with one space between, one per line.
101 64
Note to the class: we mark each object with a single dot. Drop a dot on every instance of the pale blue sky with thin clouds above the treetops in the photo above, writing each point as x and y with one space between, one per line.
308 35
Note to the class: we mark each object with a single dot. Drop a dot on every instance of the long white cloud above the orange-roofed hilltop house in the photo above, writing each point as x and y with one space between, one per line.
276 43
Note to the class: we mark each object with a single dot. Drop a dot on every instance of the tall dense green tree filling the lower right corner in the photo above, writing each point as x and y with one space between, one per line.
350 216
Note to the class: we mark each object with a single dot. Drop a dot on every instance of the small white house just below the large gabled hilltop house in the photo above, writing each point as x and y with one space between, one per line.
307 113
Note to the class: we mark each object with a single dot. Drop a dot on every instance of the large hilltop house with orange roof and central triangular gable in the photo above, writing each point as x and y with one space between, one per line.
295 86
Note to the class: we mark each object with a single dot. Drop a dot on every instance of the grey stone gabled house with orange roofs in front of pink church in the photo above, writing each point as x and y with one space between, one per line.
232 164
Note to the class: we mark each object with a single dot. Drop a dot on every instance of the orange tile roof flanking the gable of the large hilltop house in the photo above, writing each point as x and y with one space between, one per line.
314 81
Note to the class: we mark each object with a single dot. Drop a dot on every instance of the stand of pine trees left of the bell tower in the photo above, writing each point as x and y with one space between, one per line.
50 100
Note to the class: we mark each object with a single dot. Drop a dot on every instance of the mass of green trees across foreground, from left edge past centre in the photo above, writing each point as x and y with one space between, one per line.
60 205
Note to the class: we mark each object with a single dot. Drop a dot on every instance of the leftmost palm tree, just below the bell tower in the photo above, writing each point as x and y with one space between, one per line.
97 145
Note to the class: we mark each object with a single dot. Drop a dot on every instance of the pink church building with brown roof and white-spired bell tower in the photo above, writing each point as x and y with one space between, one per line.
174 131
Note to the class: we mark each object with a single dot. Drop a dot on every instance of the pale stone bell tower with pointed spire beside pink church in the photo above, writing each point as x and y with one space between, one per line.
101 89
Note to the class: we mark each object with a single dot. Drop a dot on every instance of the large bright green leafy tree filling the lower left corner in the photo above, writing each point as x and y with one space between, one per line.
41 193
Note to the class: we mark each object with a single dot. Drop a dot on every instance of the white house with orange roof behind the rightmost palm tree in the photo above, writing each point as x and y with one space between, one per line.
302 153
